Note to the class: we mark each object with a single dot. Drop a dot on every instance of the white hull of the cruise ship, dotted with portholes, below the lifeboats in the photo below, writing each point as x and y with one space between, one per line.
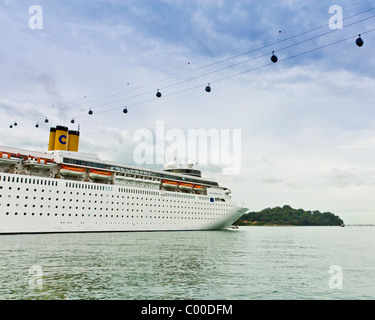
33 204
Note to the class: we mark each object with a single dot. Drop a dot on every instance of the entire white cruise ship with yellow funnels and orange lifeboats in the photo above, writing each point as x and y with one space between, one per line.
64 190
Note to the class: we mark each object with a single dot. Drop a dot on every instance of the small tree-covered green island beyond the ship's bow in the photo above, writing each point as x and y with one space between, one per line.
287 216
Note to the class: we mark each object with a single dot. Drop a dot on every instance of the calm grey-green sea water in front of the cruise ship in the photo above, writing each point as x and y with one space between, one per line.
246 264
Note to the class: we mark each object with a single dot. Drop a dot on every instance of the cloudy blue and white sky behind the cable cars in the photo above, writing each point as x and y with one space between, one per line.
299 132
